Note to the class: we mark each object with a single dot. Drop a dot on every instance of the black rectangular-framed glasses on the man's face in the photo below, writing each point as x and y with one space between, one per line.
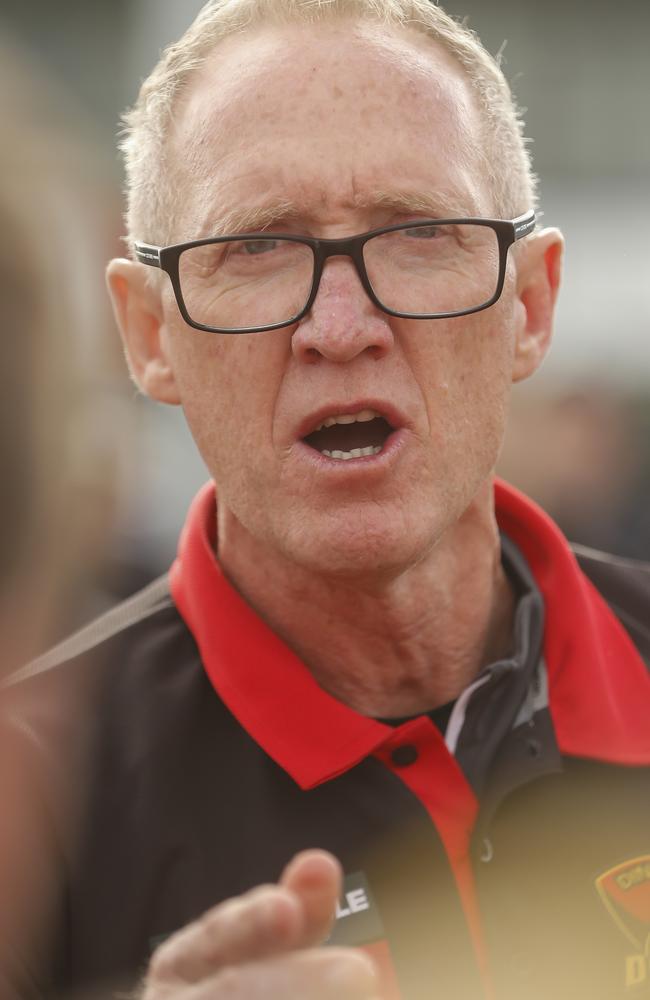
431 269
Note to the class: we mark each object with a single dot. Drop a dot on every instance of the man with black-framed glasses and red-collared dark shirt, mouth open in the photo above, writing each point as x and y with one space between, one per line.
353 651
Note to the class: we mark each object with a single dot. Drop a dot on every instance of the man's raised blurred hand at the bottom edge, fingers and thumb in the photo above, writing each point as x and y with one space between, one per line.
264 944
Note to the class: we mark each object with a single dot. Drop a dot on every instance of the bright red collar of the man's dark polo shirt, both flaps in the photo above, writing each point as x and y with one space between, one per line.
598 712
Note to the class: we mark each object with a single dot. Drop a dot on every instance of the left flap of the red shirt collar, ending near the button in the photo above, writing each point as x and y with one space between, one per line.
265 685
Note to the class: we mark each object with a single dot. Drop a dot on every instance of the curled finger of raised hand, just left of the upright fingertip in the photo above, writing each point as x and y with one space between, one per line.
266 921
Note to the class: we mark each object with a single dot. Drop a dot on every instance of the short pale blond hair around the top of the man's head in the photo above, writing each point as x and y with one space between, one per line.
150 190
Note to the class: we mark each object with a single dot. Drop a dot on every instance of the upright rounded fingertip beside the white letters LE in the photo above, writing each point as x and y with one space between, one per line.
315 877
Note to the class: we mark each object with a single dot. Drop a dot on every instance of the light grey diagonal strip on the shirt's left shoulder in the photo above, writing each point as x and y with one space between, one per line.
141 605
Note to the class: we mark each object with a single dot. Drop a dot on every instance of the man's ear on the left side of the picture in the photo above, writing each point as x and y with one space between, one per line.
138 310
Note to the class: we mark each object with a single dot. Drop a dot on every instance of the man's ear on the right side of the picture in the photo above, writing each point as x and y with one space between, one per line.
539 266
